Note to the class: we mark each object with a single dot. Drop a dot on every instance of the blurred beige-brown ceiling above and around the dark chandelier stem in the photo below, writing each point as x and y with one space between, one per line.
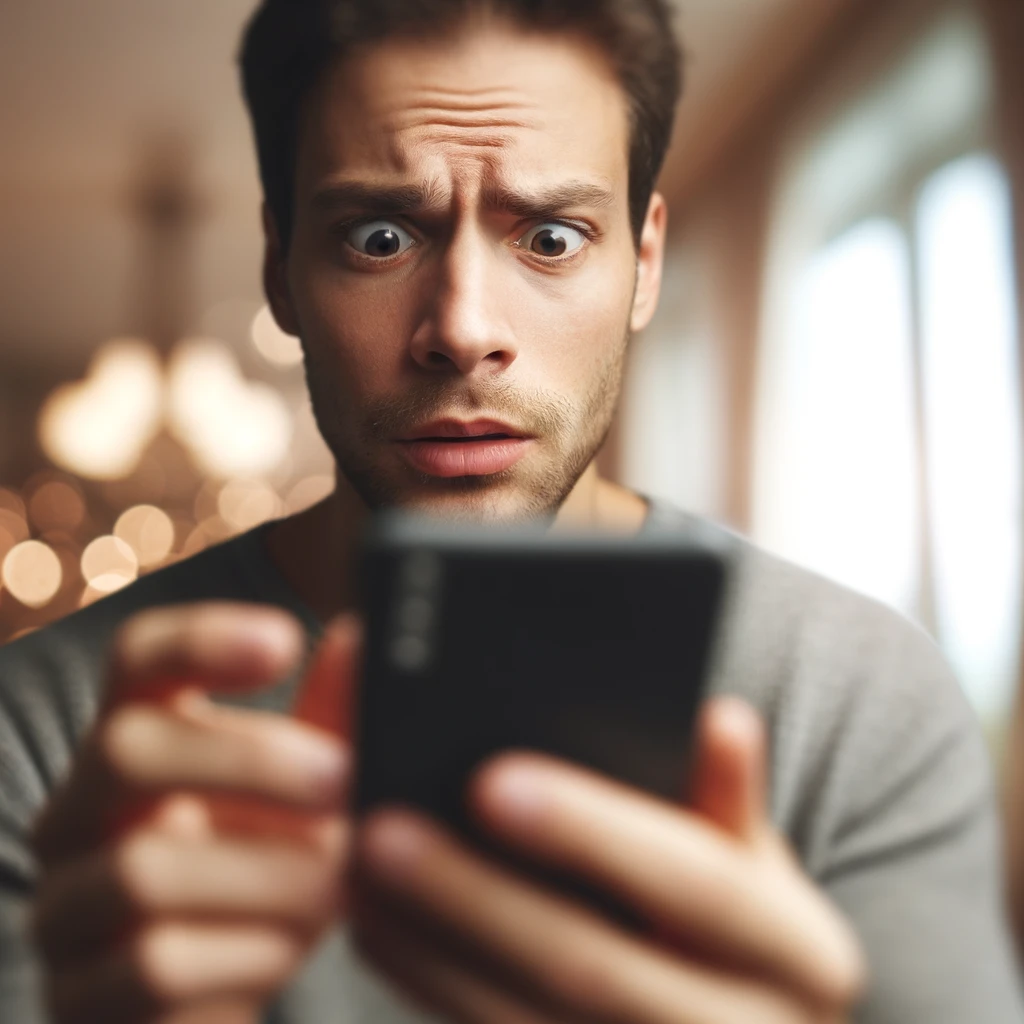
88 90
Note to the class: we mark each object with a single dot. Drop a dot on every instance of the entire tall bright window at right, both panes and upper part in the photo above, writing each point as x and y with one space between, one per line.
889 422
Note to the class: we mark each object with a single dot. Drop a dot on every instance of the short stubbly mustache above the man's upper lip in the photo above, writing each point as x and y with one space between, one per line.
534 412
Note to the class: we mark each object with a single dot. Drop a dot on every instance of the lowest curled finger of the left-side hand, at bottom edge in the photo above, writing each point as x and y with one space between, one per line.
169 968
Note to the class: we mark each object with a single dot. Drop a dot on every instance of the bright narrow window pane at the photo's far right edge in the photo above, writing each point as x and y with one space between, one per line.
972 423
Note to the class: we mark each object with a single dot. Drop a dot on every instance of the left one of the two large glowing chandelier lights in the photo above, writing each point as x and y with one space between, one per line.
100 428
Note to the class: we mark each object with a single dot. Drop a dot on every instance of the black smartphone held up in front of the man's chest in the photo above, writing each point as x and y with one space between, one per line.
591 649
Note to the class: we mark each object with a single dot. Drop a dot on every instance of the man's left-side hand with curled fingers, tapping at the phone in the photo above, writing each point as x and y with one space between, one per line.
193 856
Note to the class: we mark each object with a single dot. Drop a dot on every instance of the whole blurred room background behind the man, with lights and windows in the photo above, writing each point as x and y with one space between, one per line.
835 370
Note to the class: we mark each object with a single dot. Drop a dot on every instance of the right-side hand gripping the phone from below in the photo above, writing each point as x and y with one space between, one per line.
738 935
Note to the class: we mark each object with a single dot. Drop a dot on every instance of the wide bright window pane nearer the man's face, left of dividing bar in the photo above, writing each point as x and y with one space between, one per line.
846 418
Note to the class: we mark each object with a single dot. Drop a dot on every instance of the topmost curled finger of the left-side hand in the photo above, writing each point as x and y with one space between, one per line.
220 647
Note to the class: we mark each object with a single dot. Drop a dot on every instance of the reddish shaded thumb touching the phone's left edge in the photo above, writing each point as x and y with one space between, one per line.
327 695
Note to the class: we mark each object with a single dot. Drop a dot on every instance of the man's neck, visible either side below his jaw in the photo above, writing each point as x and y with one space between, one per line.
316 550
